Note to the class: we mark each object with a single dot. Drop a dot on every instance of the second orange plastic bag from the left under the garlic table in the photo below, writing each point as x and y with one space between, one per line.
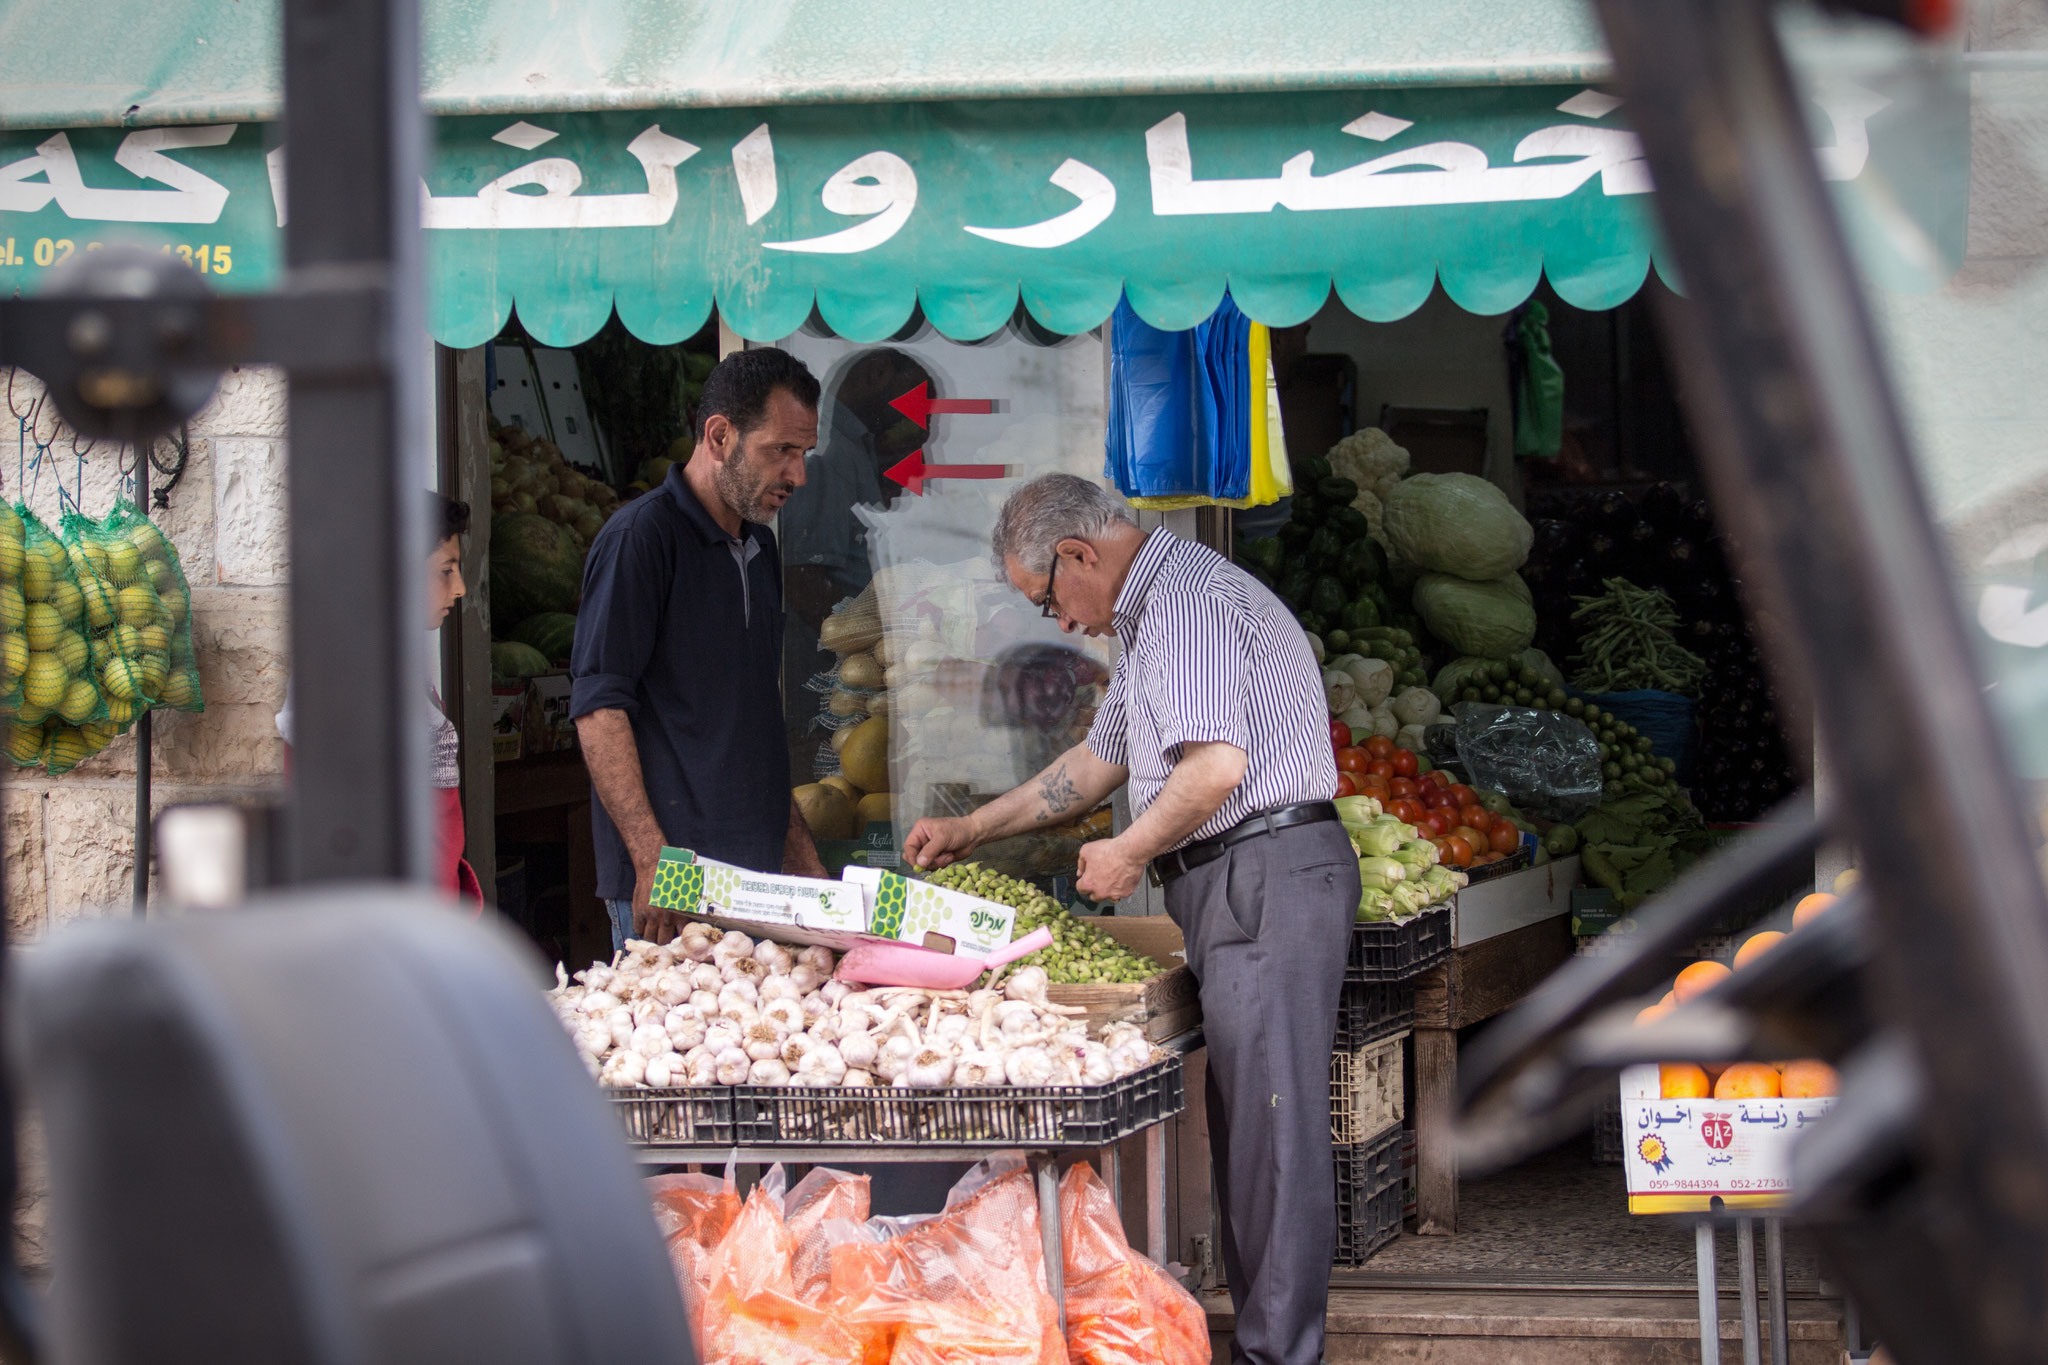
753 1313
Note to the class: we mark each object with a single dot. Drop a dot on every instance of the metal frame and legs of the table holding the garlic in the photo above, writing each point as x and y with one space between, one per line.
1041 1157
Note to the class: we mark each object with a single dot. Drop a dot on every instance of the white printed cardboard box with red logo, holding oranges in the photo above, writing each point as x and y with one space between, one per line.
1680 1155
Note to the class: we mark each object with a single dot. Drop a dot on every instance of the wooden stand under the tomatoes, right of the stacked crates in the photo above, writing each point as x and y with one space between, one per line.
1476 983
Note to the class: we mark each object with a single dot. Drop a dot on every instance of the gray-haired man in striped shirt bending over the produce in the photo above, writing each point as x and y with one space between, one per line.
1215 717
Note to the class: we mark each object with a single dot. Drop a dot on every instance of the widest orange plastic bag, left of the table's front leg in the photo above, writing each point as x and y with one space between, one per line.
966 1288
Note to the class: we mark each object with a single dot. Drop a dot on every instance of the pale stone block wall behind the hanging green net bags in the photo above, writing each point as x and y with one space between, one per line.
71 842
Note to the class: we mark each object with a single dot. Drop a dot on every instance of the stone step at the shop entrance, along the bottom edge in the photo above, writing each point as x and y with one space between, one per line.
1451 1327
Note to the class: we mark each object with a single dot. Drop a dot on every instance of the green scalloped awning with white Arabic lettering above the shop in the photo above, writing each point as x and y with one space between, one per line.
962 208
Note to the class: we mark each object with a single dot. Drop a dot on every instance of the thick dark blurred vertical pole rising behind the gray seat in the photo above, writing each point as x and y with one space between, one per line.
357 449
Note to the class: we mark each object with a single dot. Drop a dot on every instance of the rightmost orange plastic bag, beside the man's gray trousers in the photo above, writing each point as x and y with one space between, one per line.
1121 1309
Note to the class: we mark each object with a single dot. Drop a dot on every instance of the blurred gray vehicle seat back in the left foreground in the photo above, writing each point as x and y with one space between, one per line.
339 1129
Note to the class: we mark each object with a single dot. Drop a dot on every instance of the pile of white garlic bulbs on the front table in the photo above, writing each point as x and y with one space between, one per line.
726 1010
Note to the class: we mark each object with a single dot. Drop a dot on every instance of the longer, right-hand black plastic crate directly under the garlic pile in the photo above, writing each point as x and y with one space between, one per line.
962 1116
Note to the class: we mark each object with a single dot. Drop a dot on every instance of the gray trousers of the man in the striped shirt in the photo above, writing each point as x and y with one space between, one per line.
1269 928
